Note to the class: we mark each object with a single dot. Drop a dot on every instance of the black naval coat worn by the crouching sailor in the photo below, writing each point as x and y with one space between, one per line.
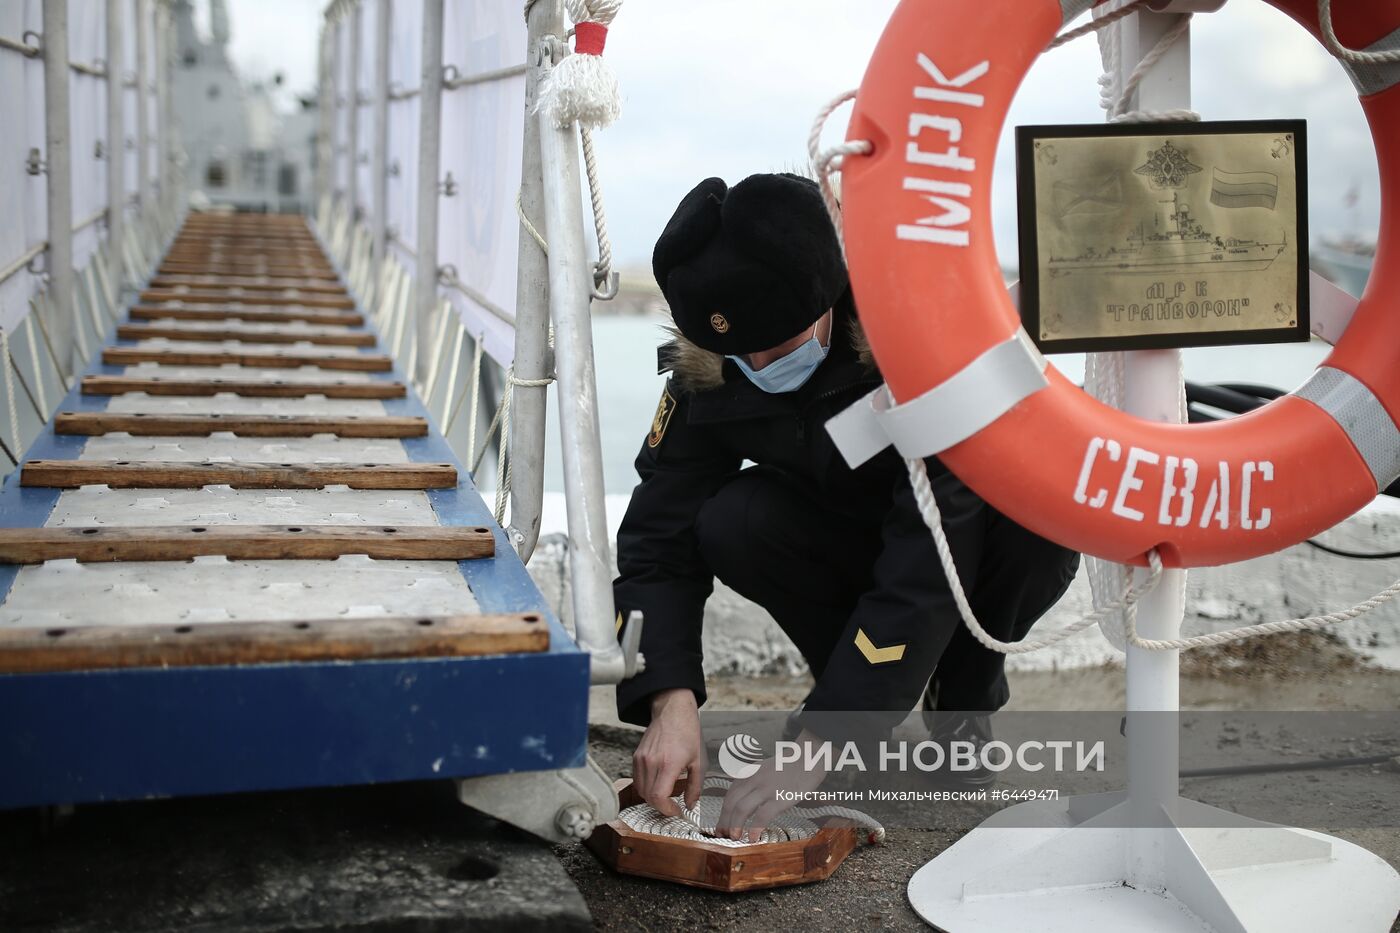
712 421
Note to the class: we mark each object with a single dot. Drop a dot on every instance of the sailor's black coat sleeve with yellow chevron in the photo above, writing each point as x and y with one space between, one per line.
902 626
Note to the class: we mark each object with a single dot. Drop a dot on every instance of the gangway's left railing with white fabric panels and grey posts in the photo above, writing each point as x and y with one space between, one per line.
89 138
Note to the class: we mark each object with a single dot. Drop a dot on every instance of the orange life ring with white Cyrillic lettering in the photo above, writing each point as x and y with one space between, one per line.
1060 463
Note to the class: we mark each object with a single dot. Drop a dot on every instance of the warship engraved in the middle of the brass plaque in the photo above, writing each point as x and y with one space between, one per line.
1184 247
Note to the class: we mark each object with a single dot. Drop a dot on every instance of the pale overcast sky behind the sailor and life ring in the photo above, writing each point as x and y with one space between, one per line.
730 88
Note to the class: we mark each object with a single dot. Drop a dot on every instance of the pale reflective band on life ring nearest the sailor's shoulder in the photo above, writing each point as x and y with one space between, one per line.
946 415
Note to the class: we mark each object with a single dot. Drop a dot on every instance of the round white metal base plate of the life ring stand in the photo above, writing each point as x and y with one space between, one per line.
1031 868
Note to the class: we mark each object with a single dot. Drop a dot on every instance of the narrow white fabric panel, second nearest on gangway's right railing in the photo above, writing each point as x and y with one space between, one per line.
405 68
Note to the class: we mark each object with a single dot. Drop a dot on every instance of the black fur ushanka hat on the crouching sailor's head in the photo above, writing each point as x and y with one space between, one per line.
750 267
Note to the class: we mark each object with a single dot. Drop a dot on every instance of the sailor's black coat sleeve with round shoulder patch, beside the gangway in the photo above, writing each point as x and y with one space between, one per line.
661 571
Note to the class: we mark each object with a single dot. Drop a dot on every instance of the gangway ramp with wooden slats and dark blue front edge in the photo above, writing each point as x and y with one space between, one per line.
241 557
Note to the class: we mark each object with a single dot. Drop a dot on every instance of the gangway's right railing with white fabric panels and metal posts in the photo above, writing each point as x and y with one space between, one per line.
439 200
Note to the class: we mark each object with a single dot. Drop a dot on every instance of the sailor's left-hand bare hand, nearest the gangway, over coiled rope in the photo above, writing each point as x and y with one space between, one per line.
671 746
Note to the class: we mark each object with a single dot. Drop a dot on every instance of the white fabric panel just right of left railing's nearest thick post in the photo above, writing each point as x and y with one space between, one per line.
87 103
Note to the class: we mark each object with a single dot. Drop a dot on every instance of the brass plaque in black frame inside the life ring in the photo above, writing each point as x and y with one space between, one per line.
1164 235
